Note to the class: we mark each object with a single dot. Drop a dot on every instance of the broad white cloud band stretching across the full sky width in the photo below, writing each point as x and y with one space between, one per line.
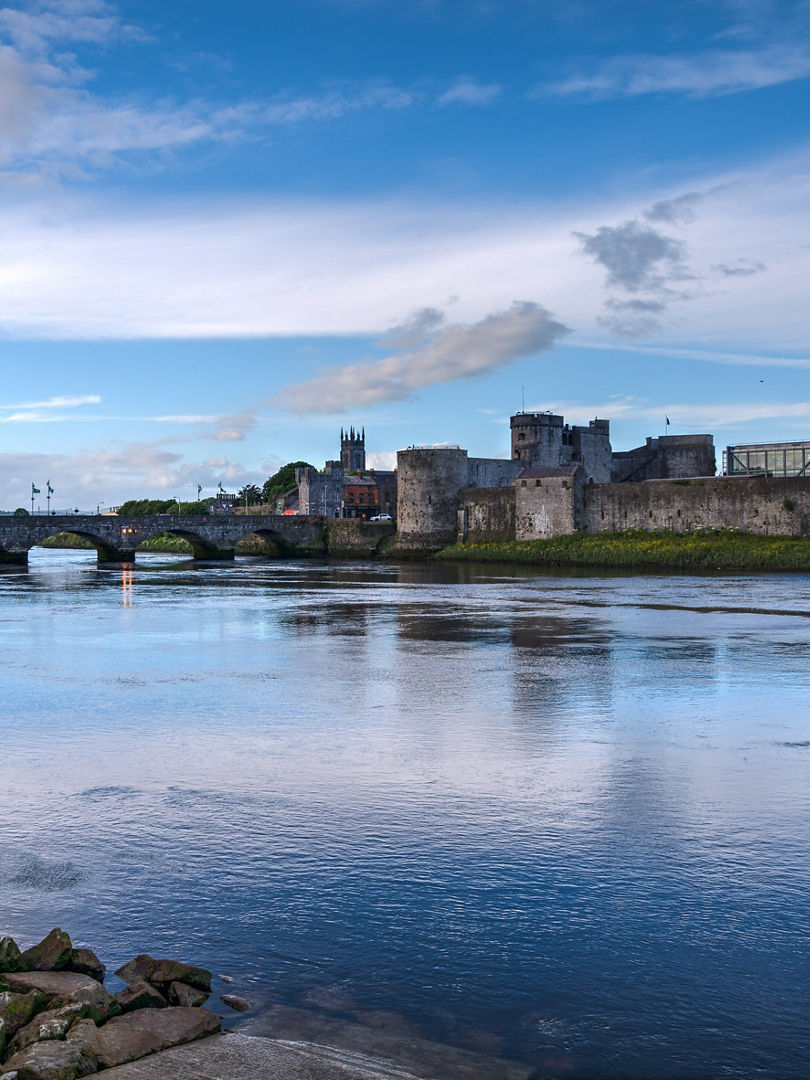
308 268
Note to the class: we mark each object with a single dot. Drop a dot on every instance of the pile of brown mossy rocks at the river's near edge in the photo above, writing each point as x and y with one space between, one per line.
58 1022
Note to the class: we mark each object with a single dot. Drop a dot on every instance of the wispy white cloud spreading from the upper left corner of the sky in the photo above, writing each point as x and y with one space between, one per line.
56 124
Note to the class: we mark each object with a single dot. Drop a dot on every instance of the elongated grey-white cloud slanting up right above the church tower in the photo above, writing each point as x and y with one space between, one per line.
454 353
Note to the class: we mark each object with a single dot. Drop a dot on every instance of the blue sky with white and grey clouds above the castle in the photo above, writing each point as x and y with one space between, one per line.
229 229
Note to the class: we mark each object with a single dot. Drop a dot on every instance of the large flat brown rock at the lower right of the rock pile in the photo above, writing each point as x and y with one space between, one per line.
145 1032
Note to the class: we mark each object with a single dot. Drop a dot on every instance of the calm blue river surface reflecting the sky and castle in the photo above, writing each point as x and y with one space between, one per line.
564 819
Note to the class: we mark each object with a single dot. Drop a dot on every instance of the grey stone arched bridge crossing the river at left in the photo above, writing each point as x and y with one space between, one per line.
212 537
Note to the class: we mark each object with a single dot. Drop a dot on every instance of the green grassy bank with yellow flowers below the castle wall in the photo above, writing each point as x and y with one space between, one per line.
723 550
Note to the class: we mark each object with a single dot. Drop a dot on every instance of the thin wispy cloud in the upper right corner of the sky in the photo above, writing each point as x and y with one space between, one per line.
712 73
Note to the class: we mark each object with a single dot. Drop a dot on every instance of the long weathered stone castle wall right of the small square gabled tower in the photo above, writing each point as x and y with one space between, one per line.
750 505
